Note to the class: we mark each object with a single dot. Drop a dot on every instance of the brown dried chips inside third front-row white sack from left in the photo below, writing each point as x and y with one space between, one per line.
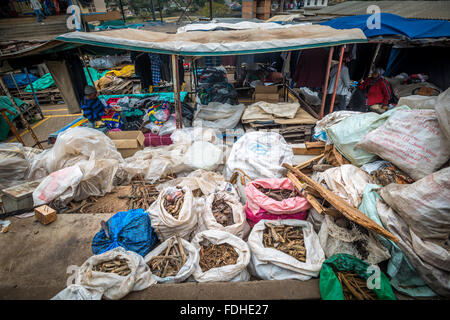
216 255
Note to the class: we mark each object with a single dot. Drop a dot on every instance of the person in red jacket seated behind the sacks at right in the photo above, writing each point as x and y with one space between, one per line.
378 90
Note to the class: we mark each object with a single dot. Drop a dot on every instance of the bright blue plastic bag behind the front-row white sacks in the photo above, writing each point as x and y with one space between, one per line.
131 230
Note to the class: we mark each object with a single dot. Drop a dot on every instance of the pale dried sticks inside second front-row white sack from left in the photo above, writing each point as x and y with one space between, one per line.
171 262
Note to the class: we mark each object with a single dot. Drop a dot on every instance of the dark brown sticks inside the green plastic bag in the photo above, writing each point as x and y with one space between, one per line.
354 287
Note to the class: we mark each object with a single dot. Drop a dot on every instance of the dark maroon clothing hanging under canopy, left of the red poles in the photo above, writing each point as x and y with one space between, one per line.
311 68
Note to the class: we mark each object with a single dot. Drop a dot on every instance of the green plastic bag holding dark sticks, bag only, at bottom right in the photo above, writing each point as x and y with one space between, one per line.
330 287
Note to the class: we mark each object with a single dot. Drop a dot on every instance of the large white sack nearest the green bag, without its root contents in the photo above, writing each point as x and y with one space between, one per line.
272 264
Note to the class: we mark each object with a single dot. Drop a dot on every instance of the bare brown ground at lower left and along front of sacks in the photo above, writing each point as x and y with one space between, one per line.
34 259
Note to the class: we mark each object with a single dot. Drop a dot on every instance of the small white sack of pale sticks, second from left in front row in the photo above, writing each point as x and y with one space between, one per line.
174 260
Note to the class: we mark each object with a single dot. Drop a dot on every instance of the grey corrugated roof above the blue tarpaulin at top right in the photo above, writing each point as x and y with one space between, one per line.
408 9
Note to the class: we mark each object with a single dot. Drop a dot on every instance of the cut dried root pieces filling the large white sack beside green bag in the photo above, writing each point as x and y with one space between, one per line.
288 239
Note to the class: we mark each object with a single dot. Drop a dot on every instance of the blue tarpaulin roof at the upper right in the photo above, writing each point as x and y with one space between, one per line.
392 24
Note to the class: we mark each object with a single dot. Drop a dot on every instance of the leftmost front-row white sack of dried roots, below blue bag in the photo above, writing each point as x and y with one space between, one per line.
115 273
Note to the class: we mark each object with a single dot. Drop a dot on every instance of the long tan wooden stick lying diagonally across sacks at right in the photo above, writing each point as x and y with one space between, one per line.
343 207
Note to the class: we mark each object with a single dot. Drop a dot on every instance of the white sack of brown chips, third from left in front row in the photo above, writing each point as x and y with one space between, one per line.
223 257
